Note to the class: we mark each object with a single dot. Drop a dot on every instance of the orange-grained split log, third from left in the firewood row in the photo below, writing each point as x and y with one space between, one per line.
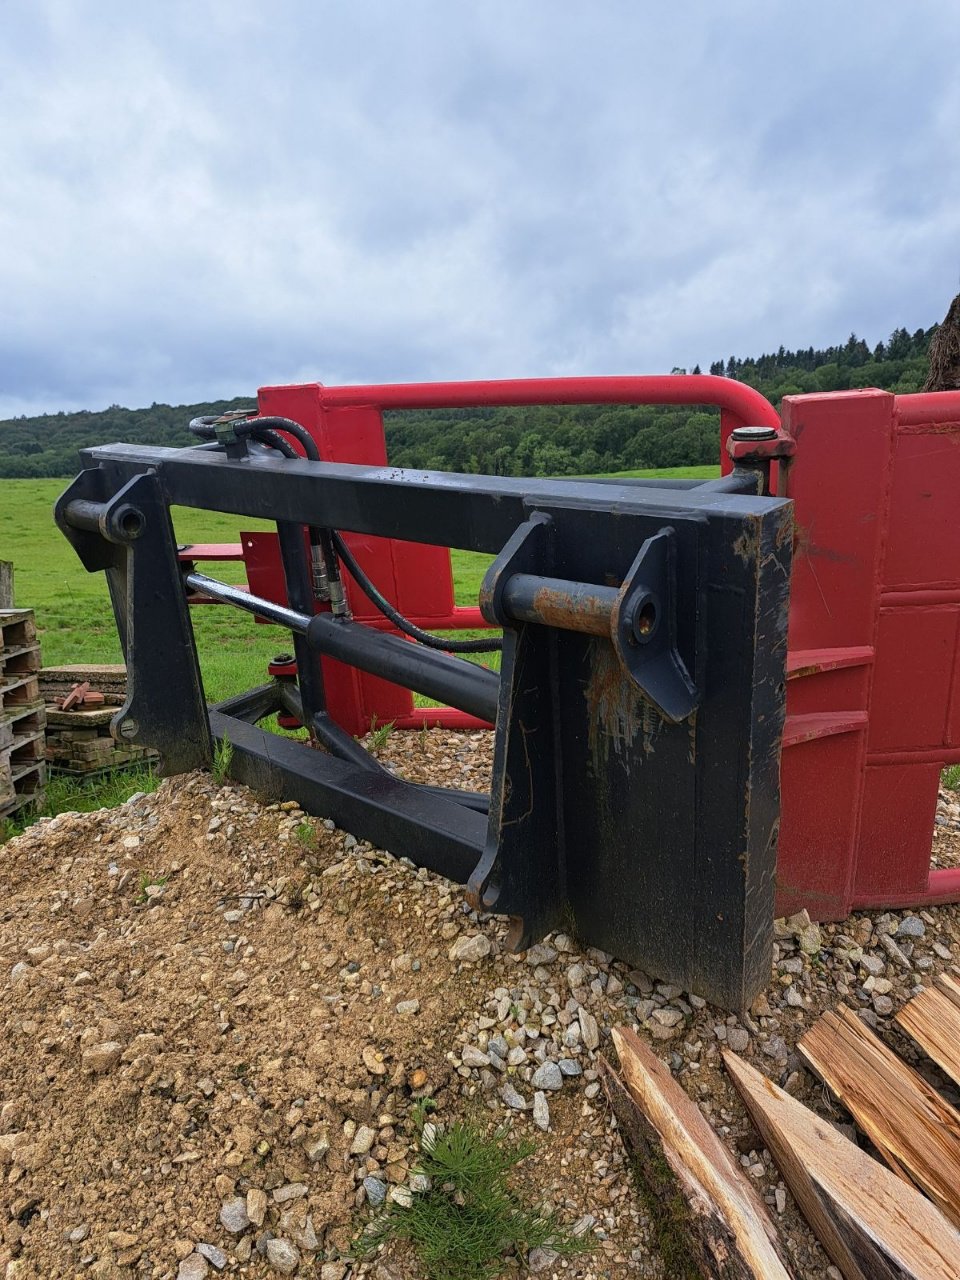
912 1127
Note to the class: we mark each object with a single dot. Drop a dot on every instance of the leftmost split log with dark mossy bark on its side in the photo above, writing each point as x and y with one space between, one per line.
730 1232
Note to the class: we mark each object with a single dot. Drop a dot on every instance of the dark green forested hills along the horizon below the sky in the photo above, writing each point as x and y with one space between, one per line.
543 441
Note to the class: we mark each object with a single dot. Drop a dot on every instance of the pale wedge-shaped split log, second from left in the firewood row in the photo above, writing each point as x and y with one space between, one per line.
872 1226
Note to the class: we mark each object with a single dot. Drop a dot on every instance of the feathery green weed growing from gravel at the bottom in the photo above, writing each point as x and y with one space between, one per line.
470 1218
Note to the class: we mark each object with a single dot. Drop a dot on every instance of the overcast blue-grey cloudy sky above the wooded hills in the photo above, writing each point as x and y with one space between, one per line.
202 198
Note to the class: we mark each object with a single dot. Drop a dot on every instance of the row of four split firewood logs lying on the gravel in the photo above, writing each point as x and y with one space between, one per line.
894 1218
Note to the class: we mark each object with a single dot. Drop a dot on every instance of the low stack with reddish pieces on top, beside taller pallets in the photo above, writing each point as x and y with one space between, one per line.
79 739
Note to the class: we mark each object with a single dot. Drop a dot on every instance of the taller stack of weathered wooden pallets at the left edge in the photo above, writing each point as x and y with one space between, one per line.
22 717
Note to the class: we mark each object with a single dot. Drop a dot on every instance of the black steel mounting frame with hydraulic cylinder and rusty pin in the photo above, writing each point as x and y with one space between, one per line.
639 706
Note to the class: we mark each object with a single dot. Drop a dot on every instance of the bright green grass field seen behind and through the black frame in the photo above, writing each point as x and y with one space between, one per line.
74 610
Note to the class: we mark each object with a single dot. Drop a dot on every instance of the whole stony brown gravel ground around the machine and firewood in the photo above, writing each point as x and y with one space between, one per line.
217 1020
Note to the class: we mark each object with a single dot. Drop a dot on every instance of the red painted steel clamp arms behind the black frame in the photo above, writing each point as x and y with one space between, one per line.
874 696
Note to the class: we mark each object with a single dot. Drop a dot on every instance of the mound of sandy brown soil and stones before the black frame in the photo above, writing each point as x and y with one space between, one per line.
205 1000
